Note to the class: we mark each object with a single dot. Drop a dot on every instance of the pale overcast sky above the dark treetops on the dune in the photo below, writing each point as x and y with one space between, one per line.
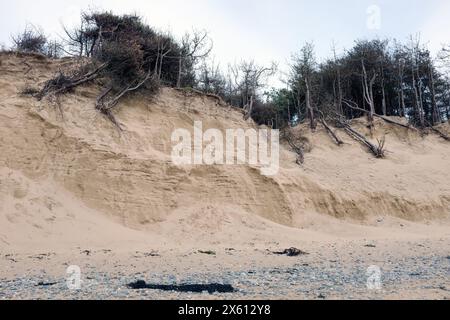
264 30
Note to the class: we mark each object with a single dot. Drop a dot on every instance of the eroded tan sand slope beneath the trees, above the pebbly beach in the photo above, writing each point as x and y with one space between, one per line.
71 178
